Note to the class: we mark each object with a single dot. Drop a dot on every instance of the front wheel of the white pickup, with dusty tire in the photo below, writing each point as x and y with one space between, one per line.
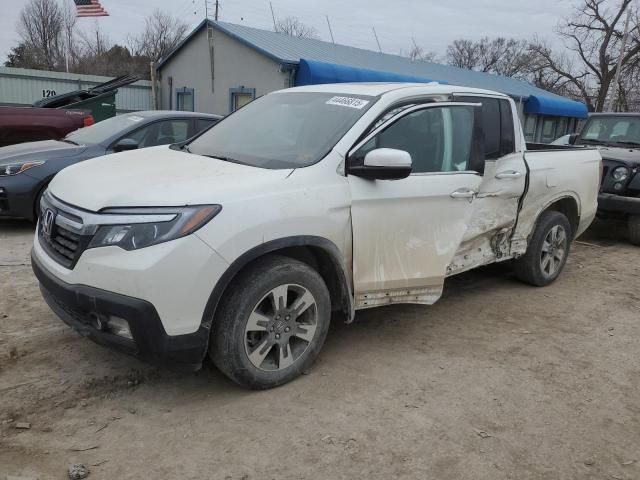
261 343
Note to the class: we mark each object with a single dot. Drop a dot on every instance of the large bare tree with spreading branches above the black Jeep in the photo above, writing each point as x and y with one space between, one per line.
594 35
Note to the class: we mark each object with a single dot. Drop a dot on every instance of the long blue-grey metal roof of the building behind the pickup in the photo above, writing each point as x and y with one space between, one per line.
290 50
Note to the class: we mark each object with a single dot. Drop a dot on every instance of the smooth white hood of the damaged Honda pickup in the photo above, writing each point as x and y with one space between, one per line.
157 177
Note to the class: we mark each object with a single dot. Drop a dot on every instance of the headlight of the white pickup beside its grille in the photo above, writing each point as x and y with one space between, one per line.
139 235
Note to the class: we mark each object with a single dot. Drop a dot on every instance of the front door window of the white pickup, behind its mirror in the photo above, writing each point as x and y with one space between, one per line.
438 139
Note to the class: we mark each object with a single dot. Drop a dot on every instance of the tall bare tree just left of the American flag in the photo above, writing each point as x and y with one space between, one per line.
40 27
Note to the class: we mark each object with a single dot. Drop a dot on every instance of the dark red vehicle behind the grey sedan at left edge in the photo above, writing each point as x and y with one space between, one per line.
29 124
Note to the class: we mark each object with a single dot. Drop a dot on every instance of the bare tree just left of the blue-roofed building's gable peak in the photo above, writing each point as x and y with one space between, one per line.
162 33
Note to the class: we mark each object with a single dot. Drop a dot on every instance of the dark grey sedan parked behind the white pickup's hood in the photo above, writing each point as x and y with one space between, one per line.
27 168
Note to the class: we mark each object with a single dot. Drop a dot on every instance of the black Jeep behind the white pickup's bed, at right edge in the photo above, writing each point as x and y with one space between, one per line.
617 136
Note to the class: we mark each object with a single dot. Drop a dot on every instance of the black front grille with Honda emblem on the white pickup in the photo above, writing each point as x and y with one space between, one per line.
61 243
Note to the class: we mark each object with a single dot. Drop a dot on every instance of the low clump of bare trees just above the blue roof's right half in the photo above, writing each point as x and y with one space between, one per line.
503 56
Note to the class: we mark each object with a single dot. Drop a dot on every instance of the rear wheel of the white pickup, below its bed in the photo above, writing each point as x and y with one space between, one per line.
547 252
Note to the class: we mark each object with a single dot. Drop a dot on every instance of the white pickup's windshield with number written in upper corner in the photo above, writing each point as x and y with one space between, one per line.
283 130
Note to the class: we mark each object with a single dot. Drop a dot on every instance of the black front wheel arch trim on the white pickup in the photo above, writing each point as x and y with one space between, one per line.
320 253
